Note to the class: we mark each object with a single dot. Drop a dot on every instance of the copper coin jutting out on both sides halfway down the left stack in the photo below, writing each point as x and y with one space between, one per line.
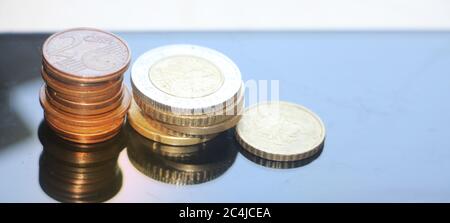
80 120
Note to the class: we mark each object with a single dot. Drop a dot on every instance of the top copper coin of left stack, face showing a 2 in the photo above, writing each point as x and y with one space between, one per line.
86 55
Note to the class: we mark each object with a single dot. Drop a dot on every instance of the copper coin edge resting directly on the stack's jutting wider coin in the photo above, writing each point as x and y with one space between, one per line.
88 109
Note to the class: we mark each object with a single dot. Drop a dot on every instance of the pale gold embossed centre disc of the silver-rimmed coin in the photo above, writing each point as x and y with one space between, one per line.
186 76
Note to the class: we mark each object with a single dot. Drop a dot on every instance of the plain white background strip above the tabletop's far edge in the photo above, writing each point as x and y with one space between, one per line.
168 15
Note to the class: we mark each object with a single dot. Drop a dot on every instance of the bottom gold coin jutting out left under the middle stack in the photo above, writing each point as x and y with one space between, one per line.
151 129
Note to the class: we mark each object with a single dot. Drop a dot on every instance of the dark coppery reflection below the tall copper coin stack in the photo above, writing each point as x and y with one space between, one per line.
71 172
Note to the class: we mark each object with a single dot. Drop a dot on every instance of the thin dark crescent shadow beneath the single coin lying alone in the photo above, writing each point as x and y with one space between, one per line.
280 164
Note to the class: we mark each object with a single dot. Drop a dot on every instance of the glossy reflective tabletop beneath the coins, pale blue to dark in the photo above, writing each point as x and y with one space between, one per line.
383 96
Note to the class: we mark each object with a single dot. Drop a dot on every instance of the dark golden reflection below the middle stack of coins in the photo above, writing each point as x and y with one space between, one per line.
181 165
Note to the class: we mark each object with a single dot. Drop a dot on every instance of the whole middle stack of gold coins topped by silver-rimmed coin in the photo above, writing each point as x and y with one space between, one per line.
185 94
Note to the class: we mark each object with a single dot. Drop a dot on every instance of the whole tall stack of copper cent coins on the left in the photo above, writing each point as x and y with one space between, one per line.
83 98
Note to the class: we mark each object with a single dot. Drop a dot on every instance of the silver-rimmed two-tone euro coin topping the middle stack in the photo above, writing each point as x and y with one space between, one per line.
186 79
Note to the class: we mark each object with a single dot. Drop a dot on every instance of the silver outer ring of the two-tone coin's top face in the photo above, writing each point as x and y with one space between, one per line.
140 77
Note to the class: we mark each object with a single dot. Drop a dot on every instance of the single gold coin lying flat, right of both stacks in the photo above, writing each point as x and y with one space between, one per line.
280 131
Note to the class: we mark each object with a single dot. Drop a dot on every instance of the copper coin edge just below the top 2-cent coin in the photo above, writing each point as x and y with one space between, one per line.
91 90
